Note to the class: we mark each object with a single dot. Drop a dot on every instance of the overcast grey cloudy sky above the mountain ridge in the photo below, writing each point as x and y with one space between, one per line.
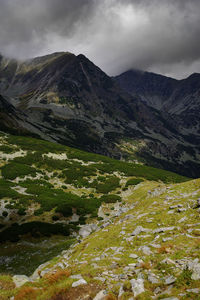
157 35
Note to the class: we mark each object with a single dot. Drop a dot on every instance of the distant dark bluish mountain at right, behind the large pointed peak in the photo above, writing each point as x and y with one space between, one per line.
179 98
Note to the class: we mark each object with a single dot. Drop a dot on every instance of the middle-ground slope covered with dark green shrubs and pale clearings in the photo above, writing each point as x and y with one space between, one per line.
44 181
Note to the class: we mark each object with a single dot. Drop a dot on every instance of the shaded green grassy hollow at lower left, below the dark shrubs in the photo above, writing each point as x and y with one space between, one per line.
33 251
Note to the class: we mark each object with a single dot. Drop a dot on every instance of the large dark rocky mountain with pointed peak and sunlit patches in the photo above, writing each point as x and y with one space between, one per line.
67 99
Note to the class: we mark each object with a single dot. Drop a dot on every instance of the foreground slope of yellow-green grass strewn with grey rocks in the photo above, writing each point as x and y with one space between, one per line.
148 248
